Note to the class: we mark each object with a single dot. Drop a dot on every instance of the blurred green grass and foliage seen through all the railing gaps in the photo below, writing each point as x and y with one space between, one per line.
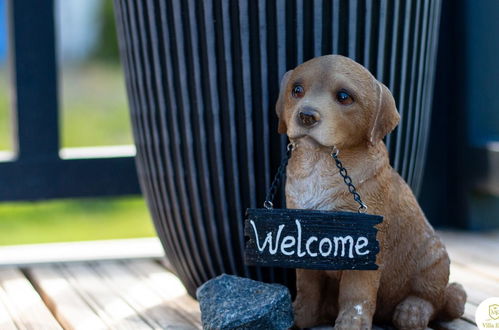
93 112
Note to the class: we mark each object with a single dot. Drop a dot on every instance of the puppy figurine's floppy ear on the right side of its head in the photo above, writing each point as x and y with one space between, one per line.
386 117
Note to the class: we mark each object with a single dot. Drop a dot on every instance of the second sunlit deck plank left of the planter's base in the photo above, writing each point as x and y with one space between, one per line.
158 312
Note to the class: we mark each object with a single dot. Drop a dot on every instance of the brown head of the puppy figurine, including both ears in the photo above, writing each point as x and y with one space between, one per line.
336 102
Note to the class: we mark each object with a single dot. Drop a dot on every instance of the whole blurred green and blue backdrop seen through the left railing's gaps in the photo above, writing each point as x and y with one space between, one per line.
93 112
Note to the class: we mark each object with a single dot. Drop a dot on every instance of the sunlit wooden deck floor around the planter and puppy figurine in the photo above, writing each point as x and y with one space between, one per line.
127 285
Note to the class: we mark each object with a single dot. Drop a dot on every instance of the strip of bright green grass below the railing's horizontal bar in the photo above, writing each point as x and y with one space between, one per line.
73 220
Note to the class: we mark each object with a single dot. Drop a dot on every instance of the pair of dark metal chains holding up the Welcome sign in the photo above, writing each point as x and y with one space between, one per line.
282 169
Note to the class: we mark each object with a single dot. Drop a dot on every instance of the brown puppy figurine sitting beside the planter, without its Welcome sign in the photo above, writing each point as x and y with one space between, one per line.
333 102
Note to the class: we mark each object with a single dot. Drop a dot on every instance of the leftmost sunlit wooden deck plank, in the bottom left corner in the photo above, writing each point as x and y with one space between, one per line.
23 303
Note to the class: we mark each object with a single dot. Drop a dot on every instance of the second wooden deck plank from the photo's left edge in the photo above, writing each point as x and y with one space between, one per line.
63 300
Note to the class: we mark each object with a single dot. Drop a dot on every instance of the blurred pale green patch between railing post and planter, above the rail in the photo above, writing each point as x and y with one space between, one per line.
94 106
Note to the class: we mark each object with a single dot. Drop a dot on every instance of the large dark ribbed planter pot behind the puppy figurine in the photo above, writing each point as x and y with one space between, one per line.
202 80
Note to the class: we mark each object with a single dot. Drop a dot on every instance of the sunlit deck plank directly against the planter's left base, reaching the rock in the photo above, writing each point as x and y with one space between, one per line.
168 286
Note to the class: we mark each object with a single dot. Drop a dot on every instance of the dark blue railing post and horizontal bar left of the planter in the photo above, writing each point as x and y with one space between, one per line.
36 169
